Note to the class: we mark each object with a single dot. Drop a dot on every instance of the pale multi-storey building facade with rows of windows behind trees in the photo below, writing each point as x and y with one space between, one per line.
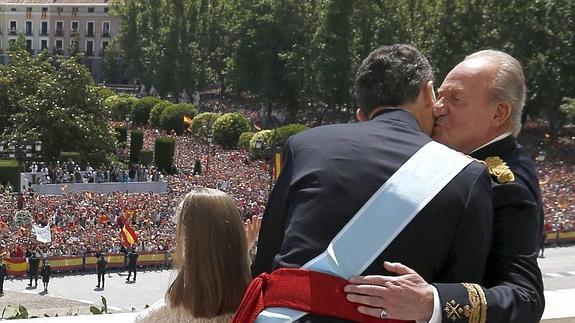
59 26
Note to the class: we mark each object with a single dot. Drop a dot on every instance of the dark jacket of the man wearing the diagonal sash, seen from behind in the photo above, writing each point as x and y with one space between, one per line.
331 171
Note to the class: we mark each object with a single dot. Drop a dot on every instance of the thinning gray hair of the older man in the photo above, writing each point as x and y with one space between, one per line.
508 83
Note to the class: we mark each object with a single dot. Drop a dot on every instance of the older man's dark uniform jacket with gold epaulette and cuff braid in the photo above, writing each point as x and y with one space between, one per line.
516 293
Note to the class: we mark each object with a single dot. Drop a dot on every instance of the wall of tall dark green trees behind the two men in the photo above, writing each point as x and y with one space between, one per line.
292 52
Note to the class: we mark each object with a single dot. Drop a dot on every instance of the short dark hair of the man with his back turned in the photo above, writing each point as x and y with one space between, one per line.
391 76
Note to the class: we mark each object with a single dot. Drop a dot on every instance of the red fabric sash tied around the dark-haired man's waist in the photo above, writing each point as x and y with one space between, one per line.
308 291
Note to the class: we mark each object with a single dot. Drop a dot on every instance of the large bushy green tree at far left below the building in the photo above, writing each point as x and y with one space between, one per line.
56 101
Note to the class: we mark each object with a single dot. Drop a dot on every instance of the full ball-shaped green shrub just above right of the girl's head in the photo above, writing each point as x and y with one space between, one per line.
229 127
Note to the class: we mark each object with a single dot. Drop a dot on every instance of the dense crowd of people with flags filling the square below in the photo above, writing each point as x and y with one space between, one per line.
86 222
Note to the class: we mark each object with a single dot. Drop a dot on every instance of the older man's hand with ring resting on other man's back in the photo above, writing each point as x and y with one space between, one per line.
405 297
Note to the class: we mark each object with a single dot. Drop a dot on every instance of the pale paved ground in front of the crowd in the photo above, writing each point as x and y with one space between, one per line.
73 294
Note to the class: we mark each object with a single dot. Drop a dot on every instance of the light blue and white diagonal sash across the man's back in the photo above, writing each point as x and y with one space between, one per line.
382 218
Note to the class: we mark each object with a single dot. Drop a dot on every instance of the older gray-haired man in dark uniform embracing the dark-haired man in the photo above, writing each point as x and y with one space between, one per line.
478 112
